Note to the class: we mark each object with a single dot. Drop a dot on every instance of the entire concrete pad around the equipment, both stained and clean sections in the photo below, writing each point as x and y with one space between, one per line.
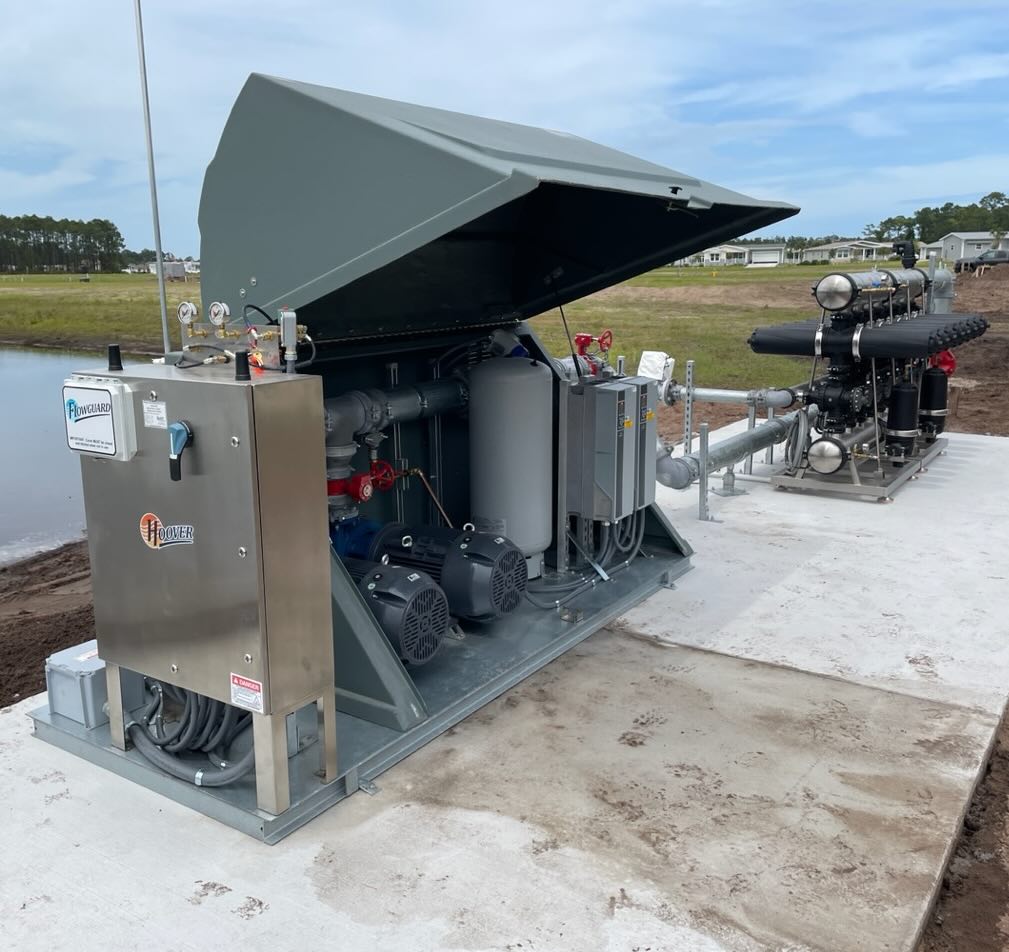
792 777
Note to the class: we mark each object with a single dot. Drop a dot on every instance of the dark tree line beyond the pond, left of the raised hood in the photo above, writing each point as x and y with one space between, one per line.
44 244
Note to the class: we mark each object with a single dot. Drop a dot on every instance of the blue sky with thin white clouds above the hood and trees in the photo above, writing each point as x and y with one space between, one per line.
854 111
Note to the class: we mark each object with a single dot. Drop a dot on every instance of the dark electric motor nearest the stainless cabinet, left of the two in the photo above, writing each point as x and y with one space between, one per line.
409 606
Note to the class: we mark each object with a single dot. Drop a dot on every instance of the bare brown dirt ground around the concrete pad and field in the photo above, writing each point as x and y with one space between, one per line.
46 606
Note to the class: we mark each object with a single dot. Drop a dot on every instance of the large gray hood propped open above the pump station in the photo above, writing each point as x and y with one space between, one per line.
379 218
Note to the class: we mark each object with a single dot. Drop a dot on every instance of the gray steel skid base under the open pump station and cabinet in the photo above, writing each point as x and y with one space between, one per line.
469 673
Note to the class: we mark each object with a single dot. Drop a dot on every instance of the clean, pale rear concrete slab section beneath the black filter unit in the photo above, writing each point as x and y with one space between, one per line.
911 597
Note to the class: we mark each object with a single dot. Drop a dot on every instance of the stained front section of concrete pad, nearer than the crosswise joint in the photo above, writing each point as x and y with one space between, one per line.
628 796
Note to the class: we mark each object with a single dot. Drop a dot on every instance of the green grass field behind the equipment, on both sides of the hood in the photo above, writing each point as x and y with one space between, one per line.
706 315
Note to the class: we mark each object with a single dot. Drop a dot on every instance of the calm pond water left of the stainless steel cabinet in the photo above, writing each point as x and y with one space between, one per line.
41 504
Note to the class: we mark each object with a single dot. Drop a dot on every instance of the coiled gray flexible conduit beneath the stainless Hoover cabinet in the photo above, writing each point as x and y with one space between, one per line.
205 726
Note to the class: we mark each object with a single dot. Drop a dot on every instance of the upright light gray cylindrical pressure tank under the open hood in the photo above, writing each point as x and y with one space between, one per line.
512 453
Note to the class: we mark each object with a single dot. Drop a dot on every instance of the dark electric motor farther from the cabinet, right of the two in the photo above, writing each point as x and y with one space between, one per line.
484 575
